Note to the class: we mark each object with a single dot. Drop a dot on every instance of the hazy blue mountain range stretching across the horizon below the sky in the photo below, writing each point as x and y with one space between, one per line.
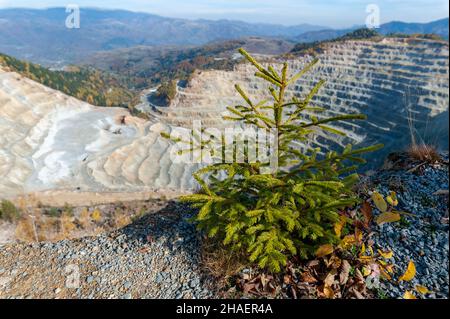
41 35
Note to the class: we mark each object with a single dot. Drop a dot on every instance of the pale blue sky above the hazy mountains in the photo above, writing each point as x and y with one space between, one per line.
340 13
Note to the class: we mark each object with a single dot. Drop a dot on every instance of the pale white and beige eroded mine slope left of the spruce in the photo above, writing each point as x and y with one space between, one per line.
49 141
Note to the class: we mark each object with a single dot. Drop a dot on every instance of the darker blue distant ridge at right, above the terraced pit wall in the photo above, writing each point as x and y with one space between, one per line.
438 27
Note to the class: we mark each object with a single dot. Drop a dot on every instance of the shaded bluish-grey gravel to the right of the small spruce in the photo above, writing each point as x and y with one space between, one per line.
423 238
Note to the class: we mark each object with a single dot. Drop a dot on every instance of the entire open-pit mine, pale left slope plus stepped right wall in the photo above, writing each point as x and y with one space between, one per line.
64 149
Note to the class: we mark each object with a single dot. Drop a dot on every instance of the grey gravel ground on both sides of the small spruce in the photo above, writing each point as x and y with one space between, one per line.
158 256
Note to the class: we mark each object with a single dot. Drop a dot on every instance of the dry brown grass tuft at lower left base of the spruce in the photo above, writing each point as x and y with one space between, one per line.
220 262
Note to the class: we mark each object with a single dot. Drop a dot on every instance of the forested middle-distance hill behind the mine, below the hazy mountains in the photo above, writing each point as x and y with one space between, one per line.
144 66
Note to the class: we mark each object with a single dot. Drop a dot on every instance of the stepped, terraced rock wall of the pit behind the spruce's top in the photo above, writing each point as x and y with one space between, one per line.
401 85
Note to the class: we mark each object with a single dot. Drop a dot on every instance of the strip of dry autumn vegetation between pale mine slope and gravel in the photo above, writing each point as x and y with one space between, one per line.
39 223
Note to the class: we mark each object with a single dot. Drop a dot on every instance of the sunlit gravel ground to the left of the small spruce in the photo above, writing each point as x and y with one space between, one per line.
155 257
